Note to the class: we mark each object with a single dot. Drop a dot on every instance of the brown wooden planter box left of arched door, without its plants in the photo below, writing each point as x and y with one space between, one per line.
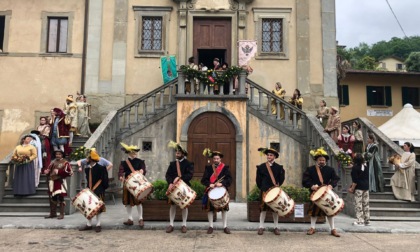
158 210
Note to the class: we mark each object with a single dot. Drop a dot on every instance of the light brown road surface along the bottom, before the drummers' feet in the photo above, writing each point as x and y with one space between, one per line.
131 240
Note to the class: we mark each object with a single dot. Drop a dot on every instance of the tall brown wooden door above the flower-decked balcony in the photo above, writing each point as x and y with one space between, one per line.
211 33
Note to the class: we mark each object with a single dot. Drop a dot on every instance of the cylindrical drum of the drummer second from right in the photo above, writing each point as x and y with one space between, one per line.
279 201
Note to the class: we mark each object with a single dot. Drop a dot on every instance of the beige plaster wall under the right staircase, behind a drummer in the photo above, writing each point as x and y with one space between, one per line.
261 135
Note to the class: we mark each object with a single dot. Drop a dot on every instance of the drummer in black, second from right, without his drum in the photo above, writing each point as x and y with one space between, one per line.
269 174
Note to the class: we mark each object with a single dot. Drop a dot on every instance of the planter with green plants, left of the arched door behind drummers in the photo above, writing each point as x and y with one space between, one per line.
156 207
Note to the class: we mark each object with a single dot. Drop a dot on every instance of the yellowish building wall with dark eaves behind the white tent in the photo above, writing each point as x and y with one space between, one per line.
358 100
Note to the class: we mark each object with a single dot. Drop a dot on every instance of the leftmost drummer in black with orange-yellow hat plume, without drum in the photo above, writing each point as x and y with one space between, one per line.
97 177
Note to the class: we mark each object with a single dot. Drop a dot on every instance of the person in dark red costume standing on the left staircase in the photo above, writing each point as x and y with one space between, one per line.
59 129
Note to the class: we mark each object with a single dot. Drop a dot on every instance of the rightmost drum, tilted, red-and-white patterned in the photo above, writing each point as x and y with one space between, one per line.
327 200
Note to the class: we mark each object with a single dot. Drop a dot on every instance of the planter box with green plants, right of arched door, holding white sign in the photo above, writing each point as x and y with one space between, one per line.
300 195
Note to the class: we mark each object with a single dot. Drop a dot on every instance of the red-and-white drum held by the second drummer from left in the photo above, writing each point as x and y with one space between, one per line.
138 185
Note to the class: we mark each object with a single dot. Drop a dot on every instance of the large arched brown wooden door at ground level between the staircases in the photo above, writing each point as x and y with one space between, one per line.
215 131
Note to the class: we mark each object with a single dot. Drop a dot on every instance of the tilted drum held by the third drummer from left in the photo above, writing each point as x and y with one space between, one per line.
181 194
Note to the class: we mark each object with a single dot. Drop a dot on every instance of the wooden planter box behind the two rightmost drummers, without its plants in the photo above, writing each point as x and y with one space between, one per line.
253 214
